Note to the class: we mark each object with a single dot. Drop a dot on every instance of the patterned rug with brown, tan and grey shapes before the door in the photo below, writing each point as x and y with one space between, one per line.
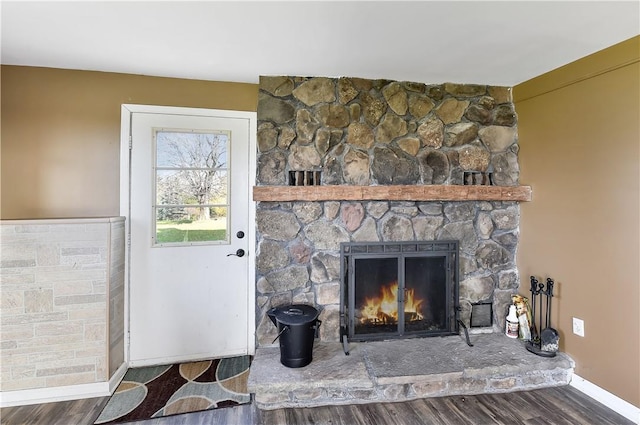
151 392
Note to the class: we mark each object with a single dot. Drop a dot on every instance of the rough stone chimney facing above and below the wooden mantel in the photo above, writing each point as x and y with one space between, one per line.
381 132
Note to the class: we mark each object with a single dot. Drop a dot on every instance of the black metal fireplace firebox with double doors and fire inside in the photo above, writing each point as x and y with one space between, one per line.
398 290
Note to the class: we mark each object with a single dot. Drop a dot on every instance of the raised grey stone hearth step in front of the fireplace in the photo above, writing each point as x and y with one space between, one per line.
401 370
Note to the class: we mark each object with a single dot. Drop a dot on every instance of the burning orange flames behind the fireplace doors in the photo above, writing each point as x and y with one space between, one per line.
384 309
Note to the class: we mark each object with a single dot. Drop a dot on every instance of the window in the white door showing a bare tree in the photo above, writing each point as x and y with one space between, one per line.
191 187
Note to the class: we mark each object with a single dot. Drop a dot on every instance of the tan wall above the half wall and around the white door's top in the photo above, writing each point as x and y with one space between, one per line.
61 134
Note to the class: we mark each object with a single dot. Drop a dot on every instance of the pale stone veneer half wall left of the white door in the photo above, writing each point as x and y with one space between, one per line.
62 302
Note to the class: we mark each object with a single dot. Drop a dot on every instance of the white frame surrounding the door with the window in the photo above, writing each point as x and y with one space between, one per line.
125 187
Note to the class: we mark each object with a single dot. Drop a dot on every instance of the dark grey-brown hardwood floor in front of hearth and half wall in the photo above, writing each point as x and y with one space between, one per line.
555 406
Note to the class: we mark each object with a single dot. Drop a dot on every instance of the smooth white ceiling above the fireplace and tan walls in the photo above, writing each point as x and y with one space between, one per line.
497 43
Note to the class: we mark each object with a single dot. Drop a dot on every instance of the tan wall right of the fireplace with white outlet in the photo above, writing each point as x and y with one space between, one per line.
579 134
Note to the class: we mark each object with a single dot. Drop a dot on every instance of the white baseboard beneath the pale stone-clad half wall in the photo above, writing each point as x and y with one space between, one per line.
55 394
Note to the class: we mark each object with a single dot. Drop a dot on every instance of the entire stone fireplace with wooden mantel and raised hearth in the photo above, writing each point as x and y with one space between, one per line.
407 167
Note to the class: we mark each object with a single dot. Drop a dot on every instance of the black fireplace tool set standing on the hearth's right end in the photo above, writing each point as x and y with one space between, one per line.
544 341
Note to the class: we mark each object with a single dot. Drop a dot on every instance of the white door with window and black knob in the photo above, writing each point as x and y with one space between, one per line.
189 295
